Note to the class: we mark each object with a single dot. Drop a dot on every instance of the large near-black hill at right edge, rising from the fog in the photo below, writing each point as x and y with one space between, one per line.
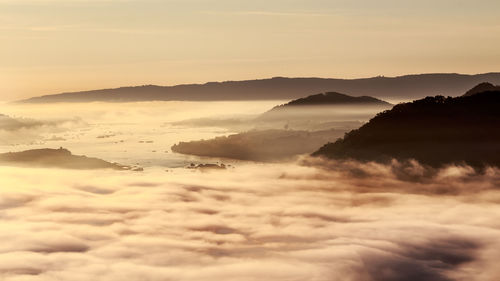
434 130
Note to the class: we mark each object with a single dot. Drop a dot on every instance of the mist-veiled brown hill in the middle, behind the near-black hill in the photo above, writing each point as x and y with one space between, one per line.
300 126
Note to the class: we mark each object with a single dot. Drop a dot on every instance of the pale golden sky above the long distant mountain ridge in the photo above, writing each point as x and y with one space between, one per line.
52 46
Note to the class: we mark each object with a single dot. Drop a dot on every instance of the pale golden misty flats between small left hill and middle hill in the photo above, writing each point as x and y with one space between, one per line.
127 133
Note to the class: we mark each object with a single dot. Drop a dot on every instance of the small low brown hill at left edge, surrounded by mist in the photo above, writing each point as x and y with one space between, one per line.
56 158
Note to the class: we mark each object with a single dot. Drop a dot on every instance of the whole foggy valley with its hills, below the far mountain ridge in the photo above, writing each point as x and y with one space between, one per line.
325 187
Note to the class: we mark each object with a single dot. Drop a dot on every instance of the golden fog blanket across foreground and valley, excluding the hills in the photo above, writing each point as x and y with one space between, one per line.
306 219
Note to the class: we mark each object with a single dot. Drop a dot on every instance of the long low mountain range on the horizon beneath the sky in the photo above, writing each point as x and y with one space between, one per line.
280 88
